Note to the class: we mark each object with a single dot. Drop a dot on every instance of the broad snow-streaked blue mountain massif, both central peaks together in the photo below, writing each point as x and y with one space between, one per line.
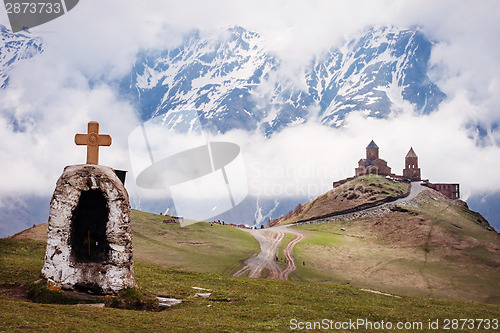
234 82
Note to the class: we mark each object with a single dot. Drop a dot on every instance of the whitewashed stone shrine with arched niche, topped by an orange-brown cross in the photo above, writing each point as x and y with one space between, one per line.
89 241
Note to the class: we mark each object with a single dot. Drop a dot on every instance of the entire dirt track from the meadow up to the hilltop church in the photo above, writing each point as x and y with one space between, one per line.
271 238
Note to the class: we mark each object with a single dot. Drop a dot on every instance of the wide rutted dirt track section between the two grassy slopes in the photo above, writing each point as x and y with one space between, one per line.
270 240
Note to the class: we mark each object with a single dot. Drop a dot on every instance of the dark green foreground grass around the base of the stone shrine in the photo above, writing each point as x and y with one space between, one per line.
237 304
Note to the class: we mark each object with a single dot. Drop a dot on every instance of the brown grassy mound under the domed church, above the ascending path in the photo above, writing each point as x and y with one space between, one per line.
357 192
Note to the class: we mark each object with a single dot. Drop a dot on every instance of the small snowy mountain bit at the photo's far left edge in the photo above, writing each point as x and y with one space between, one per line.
14 48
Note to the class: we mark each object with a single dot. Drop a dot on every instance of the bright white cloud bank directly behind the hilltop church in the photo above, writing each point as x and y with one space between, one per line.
303 161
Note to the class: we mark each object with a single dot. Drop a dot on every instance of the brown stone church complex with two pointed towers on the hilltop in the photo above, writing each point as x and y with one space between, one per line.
372 164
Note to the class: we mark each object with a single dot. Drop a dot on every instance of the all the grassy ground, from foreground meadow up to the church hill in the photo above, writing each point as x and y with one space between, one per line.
433 247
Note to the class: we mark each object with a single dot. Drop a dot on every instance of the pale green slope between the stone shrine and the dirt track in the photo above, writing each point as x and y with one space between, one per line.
198 247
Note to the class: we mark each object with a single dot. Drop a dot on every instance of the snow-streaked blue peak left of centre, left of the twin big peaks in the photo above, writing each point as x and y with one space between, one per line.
218 76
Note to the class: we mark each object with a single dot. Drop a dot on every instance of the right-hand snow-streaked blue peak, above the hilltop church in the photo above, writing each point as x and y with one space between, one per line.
375 72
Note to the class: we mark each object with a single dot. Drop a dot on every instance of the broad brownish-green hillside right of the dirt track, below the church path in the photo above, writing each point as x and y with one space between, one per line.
436 248
